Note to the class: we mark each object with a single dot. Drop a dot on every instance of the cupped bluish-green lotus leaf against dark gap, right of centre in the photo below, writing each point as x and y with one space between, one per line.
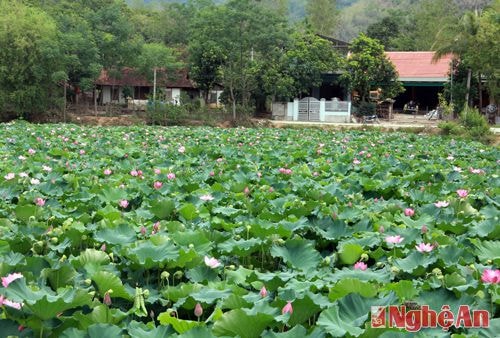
299 253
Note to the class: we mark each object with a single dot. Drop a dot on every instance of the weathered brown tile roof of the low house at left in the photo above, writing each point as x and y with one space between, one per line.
129 77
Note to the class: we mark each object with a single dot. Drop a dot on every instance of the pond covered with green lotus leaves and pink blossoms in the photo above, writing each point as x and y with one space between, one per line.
203 232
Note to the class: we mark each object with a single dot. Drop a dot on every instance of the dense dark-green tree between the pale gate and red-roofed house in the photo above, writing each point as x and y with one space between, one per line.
368 68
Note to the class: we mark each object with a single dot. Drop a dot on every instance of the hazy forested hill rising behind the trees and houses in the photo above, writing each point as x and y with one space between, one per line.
355 16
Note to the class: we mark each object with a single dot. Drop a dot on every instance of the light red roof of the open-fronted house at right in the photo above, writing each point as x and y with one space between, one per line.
418 66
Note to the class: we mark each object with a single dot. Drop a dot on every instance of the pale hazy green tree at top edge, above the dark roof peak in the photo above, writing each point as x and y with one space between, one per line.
322 15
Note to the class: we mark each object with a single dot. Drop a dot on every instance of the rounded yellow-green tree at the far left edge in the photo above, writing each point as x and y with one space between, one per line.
31 67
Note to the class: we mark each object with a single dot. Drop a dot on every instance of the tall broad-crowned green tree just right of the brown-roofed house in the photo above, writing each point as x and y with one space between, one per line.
238 34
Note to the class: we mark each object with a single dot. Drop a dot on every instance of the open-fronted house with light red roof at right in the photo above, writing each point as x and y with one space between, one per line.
422 78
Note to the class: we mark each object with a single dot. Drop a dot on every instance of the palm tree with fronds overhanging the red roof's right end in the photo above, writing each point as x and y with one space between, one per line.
458 40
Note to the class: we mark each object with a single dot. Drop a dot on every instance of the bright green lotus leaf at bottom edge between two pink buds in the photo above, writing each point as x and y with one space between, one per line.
237 322
